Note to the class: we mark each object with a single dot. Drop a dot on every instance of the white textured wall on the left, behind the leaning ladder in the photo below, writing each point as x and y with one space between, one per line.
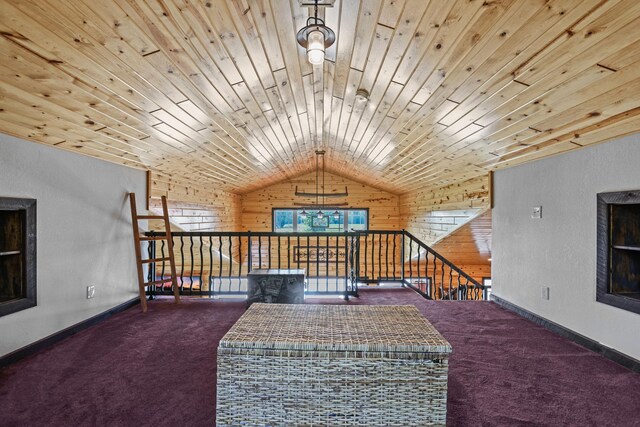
83 235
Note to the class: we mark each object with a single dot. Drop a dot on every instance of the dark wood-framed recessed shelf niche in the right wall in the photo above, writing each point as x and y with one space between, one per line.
618 280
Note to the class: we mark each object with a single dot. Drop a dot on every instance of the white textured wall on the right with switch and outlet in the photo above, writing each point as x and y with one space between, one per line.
559 250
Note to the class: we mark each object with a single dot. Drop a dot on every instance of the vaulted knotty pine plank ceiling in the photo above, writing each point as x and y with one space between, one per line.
220 94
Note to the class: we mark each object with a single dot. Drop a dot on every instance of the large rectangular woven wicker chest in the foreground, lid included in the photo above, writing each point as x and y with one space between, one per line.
326 365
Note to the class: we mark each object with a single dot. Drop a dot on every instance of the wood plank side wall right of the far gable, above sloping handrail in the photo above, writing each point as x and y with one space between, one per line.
432 213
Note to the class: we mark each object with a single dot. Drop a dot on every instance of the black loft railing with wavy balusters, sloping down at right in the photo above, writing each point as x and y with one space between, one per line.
216 263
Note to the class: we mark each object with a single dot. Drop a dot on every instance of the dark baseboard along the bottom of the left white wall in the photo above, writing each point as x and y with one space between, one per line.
39 345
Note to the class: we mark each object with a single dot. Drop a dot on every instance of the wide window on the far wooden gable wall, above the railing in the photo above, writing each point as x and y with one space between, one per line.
292 220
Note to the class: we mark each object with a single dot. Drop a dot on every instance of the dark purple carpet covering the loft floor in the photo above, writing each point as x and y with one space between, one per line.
159 369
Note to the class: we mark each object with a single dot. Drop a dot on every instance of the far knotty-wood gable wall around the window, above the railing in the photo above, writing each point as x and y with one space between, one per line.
384 209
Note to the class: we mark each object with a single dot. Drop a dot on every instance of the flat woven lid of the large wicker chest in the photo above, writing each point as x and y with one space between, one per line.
360 329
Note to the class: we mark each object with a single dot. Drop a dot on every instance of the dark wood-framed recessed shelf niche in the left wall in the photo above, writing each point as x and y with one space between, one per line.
17 254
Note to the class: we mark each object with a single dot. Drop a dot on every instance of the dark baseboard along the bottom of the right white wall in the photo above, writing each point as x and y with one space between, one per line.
611 354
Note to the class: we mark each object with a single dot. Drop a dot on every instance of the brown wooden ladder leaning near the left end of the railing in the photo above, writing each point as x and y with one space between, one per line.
138 239
